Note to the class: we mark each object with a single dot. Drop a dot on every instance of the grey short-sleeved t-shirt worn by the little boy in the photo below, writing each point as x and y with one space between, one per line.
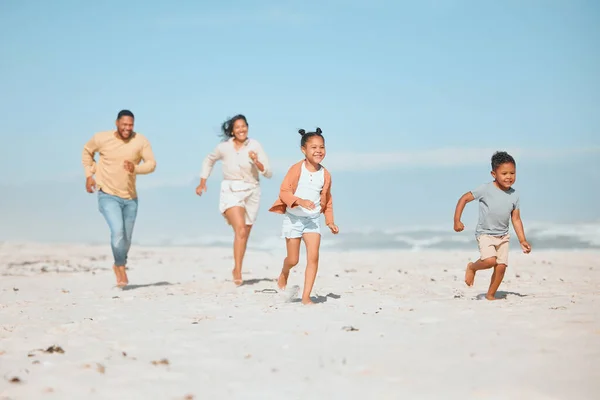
495 208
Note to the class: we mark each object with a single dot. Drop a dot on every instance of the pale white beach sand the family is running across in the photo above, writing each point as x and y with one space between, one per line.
422 334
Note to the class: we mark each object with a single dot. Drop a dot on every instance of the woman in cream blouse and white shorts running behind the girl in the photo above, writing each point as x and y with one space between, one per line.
243 160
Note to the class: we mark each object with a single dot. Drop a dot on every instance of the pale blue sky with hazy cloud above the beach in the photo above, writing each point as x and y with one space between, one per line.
413 98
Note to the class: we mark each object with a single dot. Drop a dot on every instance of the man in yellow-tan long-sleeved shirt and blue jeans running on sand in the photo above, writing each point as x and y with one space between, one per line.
120 154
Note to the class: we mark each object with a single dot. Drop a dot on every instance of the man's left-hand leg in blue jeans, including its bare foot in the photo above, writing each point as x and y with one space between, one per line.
111 208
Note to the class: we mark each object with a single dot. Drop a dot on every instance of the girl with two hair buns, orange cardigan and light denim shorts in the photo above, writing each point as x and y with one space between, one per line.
304 194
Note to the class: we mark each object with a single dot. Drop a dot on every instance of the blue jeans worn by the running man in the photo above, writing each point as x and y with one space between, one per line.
120 215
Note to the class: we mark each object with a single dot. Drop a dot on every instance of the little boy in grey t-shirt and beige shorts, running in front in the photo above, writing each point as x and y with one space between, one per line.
497 202
